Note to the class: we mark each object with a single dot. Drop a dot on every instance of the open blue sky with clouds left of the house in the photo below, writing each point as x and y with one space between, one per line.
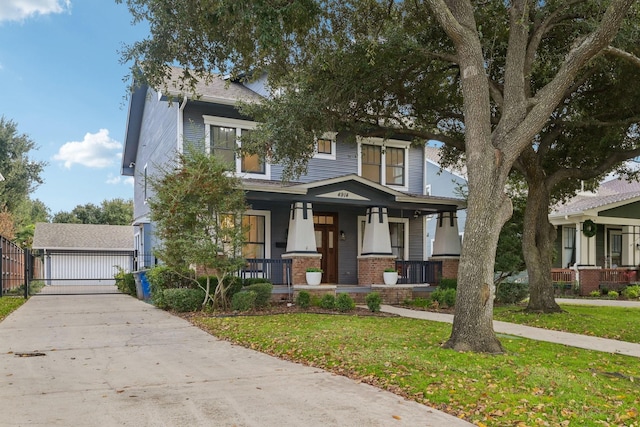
61 82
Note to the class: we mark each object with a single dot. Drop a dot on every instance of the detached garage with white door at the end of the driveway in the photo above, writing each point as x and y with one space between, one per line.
83 254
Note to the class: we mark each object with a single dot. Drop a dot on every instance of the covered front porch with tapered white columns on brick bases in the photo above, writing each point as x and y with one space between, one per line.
350 228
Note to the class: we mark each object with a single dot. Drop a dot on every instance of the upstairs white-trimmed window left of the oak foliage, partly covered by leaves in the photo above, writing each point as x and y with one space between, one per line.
223 138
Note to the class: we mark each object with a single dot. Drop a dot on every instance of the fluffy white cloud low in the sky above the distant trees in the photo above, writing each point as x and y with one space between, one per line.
96 150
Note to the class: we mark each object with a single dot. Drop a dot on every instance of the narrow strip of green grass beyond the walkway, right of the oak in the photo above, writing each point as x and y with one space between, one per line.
617 323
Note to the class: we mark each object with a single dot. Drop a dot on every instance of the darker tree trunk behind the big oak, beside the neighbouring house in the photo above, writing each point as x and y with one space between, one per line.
537 247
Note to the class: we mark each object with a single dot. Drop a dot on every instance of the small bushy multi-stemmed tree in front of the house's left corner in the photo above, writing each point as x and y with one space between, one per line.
197 209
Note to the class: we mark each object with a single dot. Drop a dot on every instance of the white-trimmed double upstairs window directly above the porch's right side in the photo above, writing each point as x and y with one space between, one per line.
385 164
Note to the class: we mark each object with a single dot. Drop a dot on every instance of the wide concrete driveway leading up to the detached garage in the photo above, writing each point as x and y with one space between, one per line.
111 360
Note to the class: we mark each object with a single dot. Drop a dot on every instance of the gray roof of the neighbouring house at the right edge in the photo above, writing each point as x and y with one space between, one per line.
609 194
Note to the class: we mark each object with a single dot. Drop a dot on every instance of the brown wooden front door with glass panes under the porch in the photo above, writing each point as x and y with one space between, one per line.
326 228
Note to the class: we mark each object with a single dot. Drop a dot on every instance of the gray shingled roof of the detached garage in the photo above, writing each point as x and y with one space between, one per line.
83 236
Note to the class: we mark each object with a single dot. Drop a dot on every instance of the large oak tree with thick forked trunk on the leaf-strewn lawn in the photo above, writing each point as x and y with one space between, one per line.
371 67
